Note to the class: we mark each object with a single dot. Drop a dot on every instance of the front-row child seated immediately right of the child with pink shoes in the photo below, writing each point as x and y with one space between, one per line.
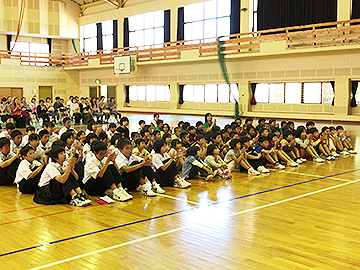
235 158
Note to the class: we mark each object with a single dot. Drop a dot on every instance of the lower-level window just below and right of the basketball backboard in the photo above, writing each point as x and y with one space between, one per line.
149 93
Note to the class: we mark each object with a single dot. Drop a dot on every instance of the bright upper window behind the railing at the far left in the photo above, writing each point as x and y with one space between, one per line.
32 50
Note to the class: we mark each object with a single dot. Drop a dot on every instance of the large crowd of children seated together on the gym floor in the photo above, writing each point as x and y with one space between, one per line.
71 165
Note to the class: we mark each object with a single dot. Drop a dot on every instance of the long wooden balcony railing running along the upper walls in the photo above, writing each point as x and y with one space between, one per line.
306 36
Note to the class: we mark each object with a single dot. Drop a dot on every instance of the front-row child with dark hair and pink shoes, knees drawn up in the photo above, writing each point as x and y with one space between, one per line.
215 162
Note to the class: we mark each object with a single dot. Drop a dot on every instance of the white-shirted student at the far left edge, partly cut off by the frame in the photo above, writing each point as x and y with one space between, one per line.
9 163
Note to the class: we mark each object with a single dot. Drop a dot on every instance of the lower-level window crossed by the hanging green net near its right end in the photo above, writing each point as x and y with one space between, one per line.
211 93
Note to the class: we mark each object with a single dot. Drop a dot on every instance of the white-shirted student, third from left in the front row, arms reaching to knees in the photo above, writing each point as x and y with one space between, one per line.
134 169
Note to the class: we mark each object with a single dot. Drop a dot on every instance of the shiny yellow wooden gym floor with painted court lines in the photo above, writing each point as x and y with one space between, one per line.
299 218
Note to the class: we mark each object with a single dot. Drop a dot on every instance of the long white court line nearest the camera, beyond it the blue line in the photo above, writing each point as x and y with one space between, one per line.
182 228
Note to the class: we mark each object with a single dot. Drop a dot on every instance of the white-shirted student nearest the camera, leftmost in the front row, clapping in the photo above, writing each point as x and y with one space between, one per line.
58 182
